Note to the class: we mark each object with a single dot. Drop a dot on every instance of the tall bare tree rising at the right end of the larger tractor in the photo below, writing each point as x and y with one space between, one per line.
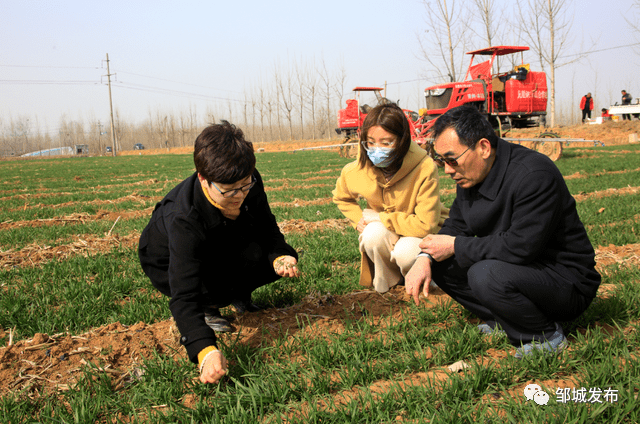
546 25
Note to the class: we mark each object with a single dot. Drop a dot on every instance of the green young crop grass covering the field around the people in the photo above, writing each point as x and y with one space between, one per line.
358 374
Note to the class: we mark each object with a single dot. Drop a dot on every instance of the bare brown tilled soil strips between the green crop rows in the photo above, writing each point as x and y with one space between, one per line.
50 363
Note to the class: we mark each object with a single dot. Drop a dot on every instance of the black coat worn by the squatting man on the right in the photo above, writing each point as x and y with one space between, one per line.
523 213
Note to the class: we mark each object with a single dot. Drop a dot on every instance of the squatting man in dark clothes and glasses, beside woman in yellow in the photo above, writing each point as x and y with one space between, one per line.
513 250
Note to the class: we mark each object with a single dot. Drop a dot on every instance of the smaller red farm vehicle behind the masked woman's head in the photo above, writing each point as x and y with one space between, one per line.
351 118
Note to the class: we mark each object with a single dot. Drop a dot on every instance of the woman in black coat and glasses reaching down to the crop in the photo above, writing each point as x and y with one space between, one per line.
212 241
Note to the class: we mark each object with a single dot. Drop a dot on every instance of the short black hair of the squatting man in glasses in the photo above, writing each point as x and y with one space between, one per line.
469 124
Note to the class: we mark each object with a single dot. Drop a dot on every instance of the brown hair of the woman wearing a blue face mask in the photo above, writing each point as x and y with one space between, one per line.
391 118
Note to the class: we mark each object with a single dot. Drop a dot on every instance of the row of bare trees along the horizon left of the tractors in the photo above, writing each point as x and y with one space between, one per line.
299 100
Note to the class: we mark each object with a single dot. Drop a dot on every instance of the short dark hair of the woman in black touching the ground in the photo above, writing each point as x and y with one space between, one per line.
222 155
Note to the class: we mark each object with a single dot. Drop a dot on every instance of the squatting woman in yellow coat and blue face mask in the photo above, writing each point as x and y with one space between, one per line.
399 181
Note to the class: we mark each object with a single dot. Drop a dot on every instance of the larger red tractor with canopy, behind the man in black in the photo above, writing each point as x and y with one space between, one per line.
517 98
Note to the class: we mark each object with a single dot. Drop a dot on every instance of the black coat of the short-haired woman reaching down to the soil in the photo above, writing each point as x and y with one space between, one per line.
190 251
